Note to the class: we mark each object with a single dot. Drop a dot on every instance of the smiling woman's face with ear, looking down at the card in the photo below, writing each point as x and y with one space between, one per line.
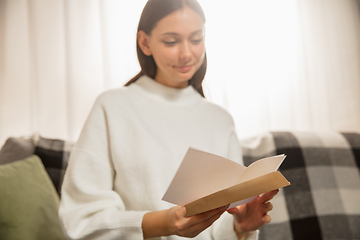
177 46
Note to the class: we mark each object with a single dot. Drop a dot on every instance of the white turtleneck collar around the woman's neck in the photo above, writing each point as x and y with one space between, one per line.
149 87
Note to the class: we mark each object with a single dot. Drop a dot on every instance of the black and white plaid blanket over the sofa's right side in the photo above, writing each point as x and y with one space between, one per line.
323 199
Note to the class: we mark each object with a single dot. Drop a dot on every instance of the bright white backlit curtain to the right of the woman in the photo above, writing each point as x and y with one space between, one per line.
290 65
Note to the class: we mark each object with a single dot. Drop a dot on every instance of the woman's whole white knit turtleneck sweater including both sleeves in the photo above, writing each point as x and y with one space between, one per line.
128 152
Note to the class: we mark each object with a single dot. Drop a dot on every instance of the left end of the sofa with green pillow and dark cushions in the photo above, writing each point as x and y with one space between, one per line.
31 172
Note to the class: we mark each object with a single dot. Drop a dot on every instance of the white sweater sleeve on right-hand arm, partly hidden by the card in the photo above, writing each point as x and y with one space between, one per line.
223 228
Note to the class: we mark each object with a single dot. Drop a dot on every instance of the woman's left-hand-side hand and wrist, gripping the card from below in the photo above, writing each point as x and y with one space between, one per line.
172 222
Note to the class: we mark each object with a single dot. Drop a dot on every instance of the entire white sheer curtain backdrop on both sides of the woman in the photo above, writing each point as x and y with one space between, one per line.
275 65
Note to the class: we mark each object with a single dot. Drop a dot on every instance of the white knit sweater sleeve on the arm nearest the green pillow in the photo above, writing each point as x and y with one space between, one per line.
89 207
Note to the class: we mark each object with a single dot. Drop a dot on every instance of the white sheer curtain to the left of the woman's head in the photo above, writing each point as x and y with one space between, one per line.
56 58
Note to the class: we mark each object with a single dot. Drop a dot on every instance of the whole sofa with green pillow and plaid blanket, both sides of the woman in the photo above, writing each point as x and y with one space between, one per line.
322 202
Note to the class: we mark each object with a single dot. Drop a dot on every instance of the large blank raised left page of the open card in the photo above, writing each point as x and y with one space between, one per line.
201 174
